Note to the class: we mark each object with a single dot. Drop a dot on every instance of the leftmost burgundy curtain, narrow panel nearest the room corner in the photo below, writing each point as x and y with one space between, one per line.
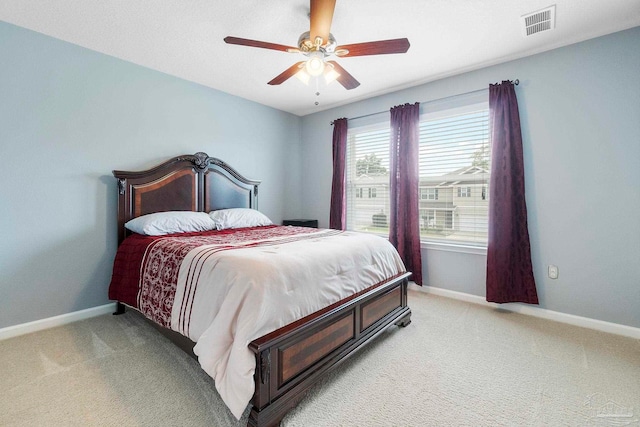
338 210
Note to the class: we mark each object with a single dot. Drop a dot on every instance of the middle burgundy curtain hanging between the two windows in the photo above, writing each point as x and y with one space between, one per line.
404 230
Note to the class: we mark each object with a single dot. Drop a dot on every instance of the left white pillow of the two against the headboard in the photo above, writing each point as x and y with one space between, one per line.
160 223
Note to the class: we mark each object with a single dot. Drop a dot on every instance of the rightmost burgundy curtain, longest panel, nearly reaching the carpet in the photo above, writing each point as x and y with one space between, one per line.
509 270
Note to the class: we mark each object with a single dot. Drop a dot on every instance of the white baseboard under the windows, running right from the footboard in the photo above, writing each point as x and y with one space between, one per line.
531 310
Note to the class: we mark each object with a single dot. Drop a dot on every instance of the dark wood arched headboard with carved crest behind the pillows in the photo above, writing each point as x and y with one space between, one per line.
192 182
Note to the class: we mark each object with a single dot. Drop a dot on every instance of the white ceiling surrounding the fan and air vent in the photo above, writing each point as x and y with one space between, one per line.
183 38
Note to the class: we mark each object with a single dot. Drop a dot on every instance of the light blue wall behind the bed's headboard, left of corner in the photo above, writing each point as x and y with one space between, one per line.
68 117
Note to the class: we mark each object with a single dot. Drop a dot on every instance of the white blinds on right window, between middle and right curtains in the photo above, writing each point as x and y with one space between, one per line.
454 160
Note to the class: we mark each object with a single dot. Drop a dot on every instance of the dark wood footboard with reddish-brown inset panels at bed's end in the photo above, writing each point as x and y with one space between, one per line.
292 359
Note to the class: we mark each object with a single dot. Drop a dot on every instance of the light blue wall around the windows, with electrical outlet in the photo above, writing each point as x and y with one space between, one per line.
580 113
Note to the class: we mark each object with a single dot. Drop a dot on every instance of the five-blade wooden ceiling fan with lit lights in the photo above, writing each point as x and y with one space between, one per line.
318 44
